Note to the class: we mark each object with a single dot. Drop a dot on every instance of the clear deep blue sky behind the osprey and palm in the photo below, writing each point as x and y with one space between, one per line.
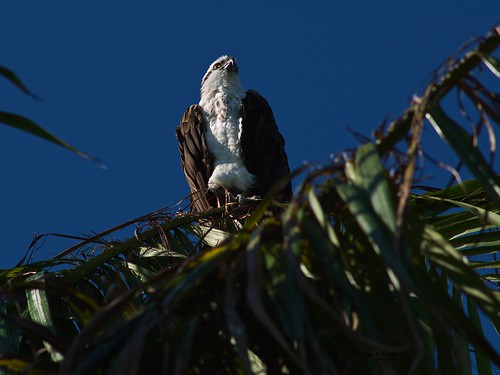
115 77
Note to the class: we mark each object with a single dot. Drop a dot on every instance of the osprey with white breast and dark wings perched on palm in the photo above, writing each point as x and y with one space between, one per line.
229 142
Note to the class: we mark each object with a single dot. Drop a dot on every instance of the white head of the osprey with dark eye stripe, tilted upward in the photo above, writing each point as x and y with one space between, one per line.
222 73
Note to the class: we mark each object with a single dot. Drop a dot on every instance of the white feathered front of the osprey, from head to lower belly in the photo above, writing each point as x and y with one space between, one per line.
221 100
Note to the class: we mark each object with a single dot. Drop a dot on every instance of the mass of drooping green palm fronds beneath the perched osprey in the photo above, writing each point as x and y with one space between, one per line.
363 272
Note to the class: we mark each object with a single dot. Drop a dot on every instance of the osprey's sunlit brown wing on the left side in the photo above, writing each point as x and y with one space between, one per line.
196 159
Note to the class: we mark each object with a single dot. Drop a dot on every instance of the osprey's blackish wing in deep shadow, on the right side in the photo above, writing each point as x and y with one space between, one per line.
263 146
